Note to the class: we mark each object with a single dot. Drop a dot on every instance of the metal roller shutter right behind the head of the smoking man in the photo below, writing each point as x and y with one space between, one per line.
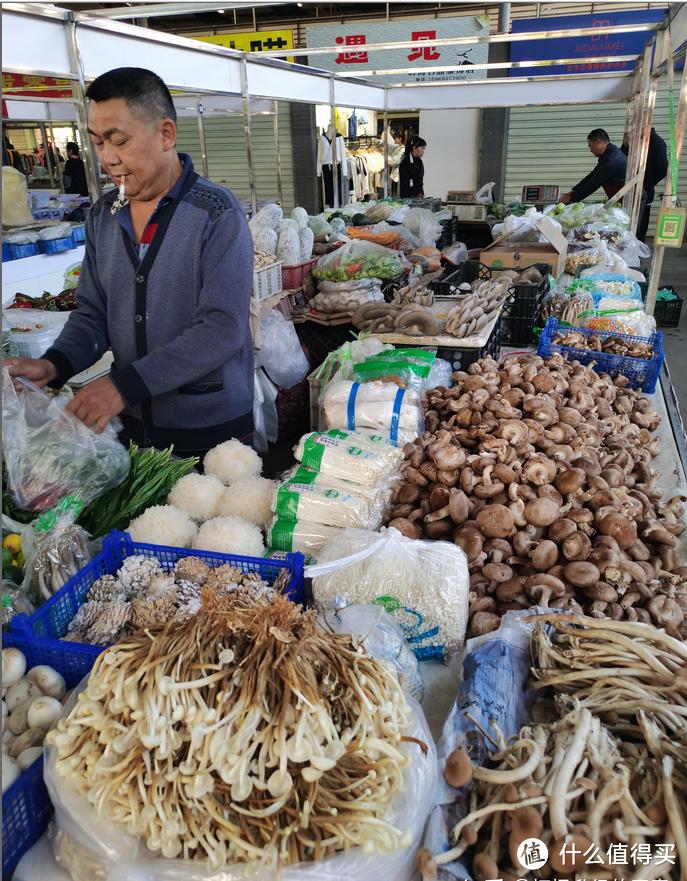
225 143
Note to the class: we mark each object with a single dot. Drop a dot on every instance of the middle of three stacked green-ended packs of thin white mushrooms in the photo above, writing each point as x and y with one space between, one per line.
300 499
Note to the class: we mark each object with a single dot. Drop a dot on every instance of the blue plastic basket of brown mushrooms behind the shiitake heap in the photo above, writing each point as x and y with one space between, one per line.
641 373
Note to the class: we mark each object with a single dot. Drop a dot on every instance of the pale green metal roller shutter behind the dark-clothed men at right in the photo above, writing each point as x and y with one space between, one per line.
547 145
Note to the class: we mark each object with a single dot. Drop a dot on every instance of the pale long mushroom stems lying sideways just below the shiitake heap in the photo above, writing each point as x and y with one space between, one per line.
633 674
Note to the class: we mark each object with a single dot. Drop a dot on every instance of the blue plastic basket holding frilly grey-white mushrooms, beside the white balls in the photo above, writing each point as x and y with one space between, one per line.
50 622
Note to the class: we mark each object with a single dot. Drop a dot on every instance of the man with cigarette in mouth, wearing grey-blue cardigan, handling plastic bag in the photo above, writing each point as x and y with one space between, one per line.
166 283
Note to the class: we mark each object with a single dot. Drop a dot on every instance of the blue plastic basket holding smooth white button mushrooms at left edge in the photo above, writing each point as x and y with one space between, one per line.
26 807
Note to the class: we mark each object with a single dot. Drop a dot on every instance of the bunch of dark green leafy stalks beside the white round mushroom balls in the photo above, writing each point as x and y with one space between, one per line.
152 475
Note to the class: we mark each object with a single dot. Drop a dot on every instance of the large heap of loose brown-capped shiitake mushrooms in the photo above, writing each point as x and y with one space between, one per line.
540 470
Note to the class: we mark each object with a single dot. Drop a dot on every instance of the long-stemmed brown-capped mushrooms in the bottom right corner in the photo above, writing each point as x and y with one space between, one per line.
573 786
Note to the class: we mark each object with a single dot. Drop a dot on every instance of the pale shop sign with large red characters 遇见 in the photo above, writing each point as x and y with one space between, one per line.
353 38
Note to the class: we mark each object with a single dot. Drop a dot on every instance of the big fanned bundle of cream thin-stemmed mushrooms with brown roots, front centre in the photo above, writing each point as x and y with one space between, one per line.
245 734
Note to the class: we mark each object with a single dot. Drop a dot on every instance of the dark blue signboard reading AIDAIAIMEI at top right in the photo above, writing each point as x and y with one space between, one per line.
601 45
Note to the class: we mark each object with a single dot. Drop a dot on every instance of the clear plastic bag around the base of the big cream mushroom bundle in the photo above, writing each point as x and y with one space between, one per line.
94 847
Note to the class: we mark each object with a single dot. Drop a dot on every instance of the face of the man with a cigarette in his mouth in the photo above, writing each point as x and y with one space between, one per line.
127 146
